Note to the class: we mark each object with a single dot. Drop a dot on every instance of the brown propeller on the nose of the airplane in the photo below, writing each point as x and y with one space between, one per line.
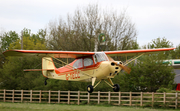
125 68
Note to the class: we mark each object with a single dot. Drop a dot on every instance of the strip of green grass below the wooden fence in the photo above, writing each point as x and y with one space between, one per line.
63 107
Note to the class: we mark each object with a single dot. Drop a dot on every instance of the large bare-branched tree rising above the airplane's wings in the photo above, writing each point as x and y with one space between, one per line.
81 30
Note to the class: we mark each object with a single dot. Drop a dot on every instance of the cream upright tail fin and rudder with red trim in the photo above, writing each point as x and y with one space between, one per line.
48 67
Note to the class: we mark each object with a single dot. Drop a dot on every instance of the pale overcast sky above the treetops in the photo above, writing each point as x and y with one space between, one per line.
152 18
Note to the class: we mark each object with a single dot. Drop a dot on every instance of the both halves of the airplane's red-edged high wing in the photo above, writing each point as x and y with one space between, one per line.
77 54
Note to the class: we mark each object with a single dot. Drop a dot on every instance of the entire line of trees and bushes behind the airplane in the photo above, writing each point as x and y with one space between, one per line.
79 32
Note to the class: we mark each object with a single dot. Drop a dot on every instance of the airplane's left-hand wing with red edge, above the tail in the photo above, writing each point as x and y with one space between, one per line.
47 53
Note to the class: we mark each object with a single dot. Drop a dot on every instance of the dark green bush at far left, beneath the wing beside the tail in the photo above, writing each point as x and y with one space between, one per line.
13 76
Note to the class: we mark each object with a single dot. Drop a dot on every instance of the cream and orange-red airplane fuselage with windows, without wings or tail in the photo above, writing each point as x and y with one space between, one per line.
83 69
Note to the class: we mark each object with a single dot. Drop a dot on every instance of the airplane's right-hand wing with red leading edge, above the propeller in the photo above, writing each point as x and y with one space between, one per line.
135 52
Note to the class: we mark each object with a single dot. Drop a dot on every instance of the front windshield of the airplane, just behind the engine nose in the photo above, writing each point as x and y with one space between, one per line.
100 57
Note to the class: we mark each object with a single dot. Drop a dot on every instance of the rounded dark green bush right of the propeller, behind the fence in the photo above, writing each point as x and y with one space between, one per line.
148 75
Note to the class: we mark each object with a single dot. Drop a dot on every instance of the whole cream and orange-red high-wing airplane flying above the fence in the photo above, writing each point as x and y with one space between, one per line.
87 66
